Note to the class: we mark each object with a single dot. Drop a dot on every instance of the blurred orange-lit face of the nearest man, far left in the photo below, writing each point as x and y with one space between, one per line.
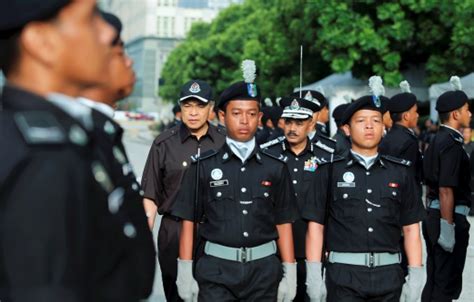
80 44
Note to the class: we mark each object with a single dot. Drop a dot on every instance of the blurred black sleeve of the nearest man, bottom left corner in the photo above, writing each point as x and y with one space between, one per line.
44 225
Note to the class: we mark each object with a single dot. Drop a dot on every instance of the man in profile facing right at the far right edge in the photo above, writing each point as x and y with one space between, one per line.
447 175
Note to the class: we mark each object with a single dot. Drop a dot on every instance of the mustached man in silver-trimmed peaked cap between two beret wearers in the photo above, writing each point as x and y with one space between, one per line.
303 158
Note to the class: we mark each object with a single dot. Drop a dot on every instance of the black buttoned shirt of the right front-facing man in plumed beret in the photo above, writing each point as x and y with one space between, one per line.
367 208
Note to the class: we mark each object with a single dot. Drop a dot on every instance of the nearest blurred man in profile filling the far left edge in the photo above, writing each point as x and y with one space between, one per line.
54 190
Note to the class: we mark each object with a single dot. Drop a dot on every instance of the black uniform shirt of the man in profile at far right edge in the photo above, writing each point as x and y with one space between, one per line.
446 164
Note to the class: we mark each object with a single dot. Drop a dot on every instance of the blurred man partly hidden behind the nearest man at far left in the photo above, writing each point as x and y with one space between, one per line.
131 262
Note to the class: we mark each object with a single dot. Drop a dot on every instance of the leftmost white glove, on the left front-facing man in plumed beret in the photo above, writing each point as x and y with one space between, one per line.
188 288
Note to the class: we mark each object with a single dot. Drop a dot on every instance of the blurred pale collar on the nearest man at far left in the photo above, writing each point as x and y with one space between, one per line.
72 107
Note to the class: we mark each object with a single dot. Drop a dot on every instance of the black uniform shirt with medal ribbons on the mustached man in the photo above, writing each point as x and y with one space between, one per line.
303 169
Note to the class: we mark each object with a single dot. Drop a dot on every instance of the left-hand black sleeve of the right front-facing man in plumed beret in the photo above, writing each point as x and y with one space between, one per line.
314 208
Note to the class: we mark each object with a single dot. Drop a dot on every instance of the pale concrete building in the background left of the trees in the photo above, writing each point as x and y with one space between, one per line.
152 29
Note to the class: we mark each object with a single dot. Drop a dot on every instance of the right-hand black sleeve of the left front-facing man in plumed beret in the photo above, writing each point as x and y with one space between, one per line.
285 205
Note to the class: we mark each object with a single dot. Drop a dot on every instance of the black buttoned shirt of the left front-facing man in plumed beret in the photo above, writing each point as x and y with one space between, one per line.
241 203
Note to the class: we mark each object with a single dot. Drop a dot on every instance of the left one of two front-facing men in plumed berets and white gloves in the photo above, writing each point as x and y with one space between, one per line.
244 208
